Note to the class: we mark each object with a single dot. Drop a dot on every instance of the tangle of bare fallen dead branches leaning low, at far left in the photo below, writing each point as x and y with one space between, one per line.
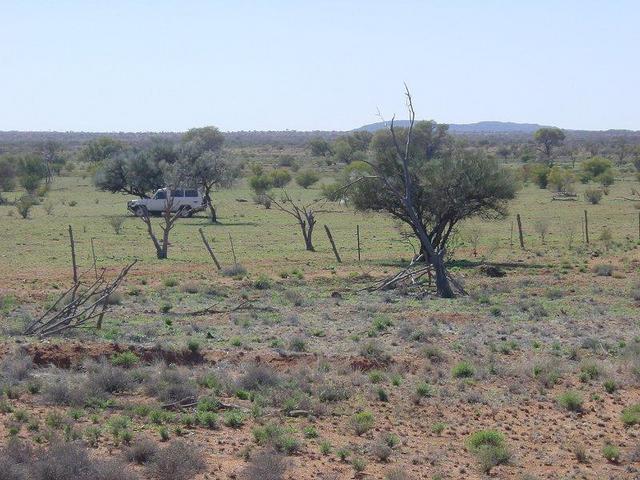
82 305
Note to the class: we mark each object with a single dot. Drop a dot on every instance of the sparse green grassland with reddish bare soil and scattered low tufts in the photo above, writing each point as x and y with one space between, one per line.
531 375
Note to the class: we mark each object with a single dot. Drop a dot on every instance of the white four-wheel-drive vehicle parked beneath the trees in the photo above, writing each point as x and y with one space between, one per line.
186 200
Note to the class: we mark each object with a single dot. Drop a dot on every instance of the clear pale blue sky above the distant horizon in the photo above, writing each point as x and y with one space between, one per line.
169 65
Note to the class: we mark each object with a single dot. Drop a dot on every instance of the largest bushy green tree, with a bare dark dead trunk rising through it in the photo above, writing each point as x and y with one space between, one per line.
432 188
